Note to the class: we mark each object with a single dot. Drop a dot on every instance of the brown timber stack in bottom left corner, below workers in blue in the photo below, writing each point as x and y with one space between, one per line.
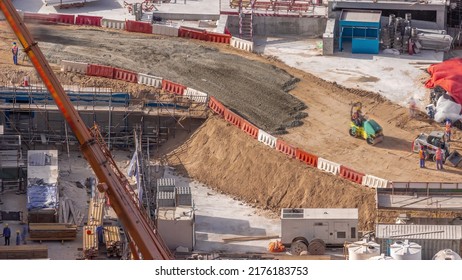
23 252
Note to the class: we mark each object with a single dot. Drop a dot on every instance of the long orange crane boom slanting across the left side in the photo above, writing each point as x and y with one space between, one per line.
146 241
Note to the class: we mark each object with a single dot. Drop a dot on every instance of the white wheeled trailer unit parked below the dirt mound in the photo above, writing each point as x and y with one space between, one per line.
310 230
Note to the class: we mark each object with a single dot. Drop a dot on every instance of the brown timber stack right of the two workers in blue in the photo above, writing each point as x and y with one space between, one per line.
48 231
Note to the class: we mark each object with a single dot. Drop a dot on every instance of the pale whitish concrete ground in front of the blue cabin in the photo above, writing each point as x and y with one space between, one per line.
395 77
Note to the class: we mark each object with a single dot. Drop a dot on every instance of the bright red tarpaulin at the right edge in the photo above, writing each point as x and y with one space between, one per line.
447 75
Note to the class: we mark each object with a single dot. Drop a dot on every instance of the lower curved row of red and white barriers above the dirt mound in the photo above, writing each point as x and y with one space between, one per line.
230 116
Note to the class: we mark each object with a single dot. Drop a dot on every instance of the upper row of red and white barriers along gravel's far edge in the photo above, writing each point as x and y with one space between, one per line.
141 27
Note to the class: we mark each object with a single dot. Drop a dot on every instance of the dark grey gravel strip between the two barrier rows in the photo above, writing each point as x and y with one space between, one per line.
258 91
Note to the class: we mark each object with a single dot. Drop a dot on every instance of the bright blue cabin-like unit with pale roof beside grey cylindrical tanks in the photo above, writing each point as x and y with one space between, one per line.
362 29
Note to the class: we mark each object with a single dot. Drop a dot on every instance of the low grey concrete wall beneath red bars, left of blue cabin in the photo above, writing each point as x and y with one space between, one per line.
273 26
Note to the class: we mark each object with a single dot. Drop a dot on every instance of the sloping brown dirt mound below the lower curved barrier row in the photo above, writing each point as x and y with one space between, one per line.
222 156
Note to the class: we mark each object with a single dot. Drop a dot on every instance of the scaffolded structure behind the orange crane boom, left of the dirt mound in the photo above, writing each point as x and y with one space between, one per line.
31 112
